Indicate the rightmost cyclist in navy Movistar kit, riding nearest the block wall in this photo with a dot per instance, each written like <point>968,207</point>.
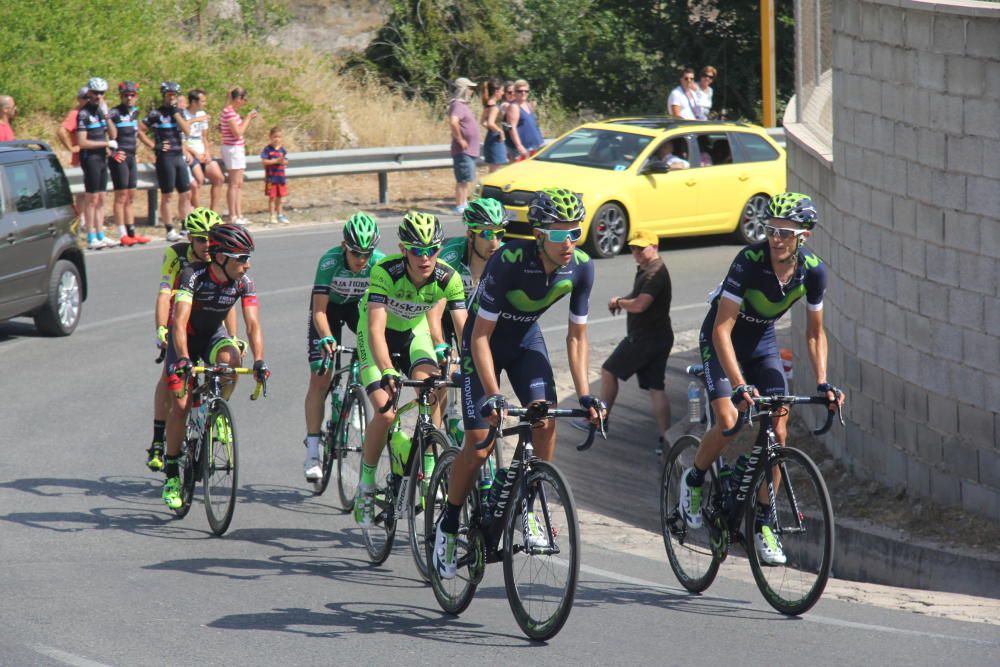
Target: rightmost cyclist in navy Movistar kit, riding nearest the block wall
<point>740,350</point>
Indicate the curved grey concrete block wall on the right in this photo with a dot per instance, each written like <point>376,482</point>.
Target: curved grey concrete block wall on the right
<point>908,189</point>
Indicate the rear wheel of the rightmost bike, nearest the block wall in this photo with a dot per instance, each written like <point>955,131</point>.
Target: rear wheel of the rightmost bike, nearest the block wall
<point>688,550</point>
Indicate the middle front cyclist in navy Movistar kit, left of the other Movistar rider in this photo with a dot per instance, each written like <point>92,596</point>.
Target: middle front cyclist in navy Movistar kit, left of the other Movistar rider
<point>519,284</point>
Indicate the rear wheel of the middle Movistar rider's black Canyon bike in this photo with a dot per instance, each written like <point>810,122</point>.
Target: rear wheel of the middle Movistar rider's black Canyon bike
<point>454,595</point>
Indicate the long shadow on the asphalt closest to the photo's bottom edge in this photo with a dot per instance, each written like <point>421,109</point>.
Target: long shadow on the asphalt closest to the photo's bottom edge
<point>345,619</point>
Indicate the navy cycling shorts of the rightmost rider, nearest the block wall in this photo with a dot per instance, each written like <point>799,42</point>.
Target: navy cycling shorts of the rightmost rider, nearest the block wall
<point>759,360</point>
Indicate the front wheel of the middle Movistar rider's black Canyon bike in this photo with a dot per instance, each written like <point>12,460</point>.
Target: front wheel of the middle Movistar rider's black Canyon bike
<point>541,552</point>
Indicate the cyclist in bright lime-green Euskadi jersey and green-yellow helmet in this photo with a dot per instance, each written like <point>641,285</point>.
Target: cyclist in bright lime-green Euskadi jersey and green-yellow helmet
<point>393,319</point>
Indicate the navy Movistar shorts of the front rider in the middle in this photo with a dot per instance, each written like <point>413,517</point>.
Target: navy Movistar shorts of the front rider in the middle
<point>527,365</point>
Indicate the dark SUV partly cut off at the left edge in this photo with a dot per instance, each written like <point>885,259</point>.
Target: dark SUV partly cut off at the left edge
<point>42,272</point>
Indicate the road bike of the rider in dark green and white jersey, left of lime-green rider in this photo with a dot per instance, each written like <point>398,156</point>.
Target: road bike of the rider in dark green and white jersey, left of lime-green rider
<point>342,437</point>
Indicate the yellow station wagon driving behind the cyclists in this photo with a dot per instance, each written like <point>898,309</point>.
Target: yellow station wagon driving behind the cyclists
<point>670,176</point>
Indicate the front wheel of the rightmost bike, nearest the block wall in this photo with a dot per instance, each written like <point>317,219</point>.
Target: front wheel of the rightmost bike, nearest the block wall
<point>804,529</point>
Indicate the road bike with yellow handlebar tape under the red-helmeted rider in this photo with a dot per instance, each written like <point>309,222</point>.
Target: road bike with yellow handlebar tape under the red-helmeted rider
<point>210,453</point>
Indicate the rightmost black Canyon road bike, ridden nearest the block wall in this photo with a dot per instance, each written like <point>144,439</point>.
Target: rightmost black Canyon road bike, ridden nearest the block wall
<point>801,514</point>
